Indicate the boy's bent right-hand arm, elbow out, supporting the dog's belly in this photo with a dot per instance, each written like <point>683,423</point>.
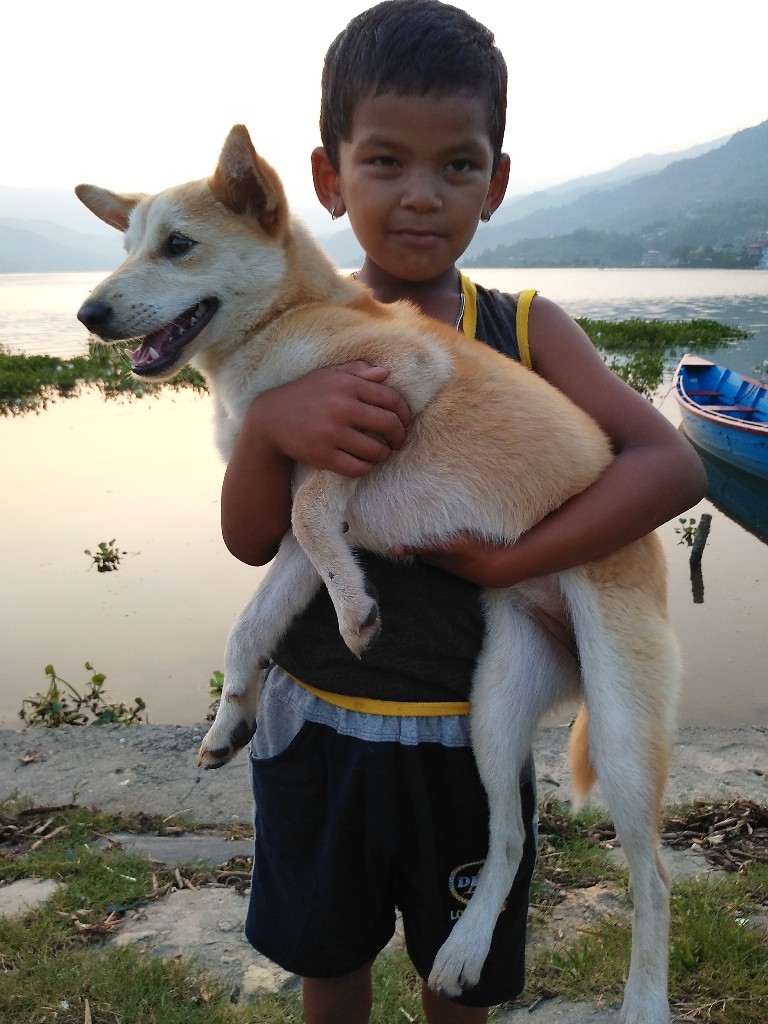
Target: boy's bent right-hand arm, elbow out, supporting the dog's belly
<point>656,475</point>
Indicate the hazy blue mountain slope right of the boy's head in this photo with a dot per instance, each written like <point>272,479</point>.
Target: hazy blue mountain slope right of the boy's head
<point>709,208</point>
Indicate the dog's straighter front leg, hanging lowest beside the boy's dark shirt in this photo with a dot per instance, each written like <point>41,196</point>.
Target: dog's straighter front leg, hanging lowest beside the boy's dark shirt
<point>285,592</point>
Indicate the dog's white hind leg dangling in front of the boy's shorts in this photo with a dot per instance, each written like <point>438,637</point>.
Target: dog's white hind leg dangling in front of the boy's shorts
<point>521,674</point>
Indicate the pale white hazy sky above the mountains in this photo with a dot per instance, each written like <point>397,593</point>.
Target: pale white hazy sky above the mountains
<point>140,96</point>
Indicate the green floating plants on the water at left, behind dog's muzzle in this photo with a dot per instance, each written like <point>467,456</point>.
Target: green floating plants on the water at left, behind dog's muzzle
<point>29,383</point>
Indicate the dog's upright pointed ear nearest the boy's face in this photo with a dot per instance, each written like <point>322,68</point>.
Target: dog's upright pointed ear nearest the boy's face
<point>247,185</point>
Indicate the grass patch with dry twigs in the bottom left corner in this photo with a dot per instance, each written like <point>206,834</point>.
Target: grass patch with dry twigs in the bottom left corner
<point>54,959</point>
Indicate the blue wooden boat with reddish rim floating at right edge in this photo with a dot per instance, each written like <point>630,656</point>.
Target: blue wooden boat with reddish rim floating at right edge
<point>724,413</point>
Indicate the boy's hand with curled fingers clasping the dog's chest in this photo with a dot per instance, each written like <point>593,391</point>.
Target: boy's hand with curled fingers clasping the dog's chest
<point>327,418</point>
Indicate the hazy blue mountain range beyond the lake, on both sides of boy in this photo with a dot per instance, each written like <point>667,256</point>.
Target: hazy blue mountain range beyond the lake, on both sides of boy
<point>705,206</point>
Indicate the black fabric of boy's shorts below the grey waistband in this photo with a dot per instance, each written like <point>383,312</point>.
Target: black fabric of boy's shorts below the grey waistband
<point>349,830</point>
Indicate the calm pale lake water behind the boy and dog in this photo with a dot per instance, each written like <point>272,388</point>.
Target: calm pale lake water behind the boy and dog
<point>147,475</point>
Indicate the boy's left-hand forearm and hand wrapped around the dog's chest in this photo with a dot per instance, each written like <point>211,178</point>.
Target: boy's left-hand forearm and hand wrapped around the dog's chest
<point>324,420</point>
